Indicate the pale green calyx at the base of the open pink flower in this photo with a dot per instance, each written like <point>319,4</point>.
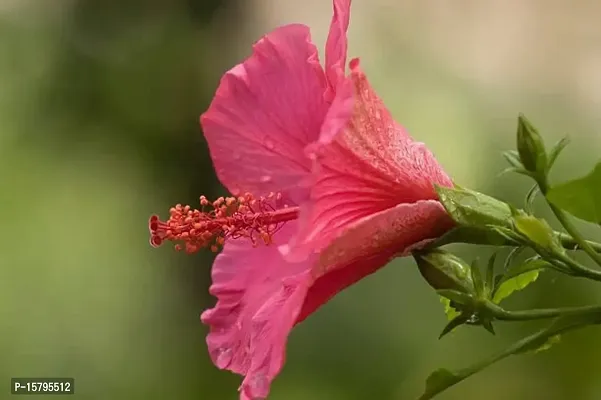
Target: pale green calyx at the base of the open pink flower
<point>470,208</point>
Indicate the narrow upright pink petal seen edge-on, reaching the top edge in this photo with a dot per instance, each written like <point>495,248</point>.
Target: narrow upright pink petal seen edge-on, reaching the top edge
<point>337,42</point>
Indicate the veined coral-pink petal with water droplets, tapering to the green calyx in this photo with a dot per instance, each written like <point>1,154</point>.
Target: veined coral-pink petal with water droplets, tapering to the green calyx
<point>369,166</point>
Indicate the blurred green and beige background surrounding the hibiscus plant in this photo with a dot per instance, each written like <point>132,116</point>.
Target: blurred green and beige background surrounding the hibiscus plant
<point>99,106</point>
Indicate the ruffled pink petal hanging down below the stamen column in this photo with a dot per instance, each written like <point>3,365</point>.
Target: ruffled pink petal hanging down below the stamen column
<point>259,298</point>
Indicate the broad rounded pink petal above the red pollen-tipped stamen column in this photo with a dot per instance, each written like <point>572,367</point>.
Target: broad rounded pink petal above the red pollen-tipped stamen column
<point>265,111</point>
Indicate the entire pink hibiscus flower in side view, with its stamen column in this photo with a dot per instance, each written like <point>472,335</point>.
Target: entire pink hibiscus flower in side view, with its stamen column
<point>327,189</point>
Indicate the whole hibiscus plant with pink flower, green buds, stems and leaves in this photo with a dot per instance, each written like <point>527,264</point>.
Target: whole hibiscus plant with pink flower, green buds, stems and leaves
<point>326,188</point>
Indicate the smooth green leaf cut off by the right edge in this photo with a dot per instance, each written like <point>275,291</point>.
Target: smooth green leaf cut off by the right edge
<point>580,197</point>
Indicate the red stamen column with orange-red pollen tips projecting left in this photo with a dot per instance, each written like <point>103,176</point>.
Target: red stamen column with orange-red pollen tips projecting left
<point>228,218</point>
